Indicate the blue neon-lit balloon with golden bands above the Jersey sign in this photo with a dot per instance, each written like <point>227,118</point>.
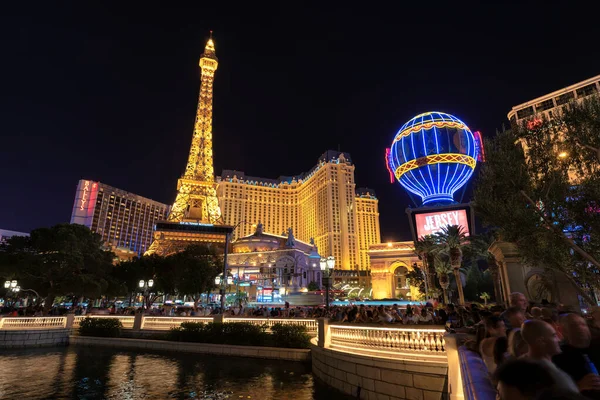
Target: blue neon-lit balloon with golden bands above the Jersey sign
<point>433,155</point>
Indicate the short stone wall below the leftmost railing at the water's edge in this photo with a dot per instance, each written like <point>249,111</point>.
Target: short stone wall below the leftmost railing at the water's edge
<point>33,338</point>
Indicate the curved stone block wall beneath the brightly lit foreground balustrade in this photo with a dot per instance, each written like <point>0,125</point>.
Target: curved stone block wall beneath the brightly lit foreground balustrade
<point>371,378</point>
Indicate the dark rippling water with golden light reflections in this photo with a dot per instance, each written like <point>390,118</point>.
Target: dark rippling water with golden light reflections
<point>100,373</point>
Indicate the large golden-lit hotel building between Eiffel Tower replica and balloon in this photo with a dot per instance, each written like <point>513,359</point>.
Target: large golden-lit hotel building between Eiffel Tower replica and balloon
<point>323,204</point>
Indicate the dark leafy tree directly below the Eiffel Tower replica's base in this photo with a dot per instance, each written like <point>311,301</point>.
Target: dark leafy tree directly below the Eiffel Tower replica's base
<point>196,268</point>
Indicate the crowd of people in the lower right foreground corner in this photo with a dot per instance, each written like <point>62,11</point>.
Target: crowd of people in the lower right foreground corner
<point>540,352</point>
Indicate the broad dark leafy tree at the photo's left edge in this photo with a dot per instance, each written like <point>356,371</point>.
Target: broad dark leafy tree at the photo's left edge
<point>64,260</point>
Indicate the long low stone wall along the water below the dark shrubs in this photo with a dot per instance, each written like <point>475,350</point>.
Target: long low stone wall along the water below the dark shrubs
<point>205,348</point>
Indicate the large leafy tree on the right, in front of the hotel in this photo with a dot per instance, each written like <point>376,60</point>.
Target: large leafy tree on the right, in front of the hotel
<point>545,198</point>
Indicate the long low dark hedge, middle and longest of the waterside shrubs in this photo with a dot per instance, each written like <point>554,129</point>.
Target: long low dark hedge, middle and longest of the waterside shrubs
<point>242,333</point>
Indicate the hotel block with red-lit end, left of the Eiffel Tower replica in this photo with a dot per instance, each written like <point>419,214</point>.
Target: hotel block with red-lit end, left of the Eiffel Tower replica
<point>124,220</point>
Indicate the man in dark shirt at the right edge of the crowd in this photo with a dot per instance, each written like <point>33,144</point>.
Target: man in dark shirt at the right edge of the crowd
<point>578,358</point>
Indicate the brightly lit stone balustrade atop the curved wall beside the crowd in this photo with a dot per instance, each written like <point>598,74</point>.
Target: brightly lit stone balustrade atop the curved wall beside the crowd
<point>419,343</point>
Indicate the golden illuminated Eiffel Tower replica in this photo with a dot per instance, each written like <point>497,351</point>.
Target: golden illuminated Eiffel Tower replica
<point>195,215</point>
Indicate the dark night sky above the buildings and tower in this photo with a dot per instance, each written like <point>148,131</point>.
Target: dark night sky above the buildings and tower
<point>108,90</point>
